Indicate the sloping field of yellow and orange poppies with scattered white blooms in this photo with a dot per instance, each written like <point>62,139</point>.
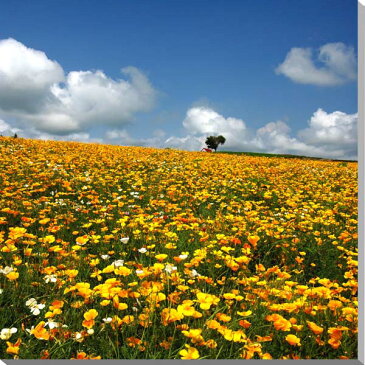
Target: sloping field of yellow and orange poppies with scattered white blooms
<point>129,252</point>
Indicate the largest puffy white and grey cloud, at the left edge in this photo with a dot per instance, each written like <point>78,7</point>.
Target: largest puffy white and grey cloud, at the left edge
<point>35,91</point>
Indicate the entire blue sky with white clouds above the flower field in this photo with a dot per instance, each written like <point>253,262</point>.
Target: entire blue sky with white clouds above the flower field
<point>276,76</point>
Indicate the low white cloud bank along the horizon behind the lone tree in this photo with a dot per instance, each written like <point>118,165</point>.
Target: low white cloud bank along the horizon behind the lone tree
<point>330,135</point>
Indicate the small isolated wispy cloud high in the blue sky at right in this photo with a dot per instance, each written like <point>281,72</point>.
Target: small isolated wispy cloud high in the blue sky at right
<point>336,65</point>
